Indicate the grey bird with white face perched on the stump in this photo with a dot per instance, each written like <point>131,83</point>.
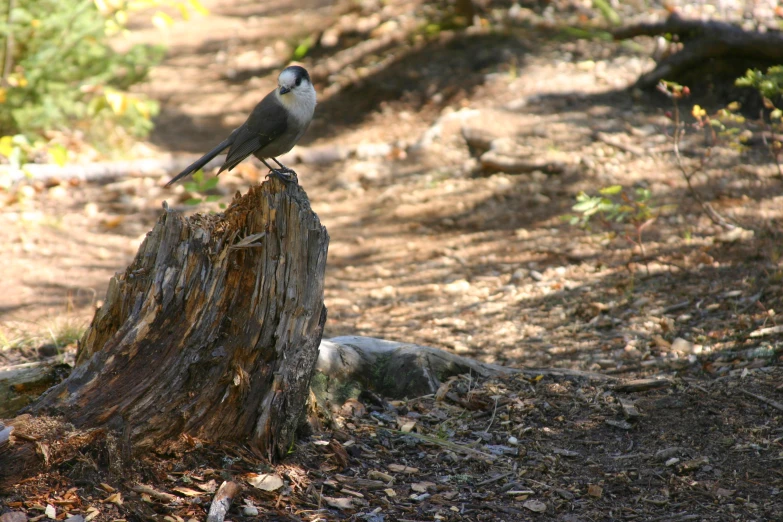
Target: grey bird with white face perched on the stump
<point>273,128</point>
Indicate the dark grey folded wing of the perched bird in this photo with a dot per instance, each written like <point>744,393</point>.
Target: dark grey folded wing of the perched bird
<point>267,122</point>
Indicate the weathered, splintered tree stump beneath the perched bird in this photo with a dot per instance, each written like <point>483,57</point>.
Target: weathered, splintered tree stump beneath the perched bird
<point>212,331</point>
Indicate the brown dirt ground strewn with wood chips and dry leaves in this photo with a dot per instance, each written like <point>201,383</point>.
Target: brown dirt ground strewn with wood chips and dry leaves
<point>428,247</point>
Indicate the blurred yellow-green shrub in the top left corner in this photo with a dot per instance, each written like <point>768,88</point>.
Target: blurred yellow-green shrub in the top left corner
<point>60,74</point>
